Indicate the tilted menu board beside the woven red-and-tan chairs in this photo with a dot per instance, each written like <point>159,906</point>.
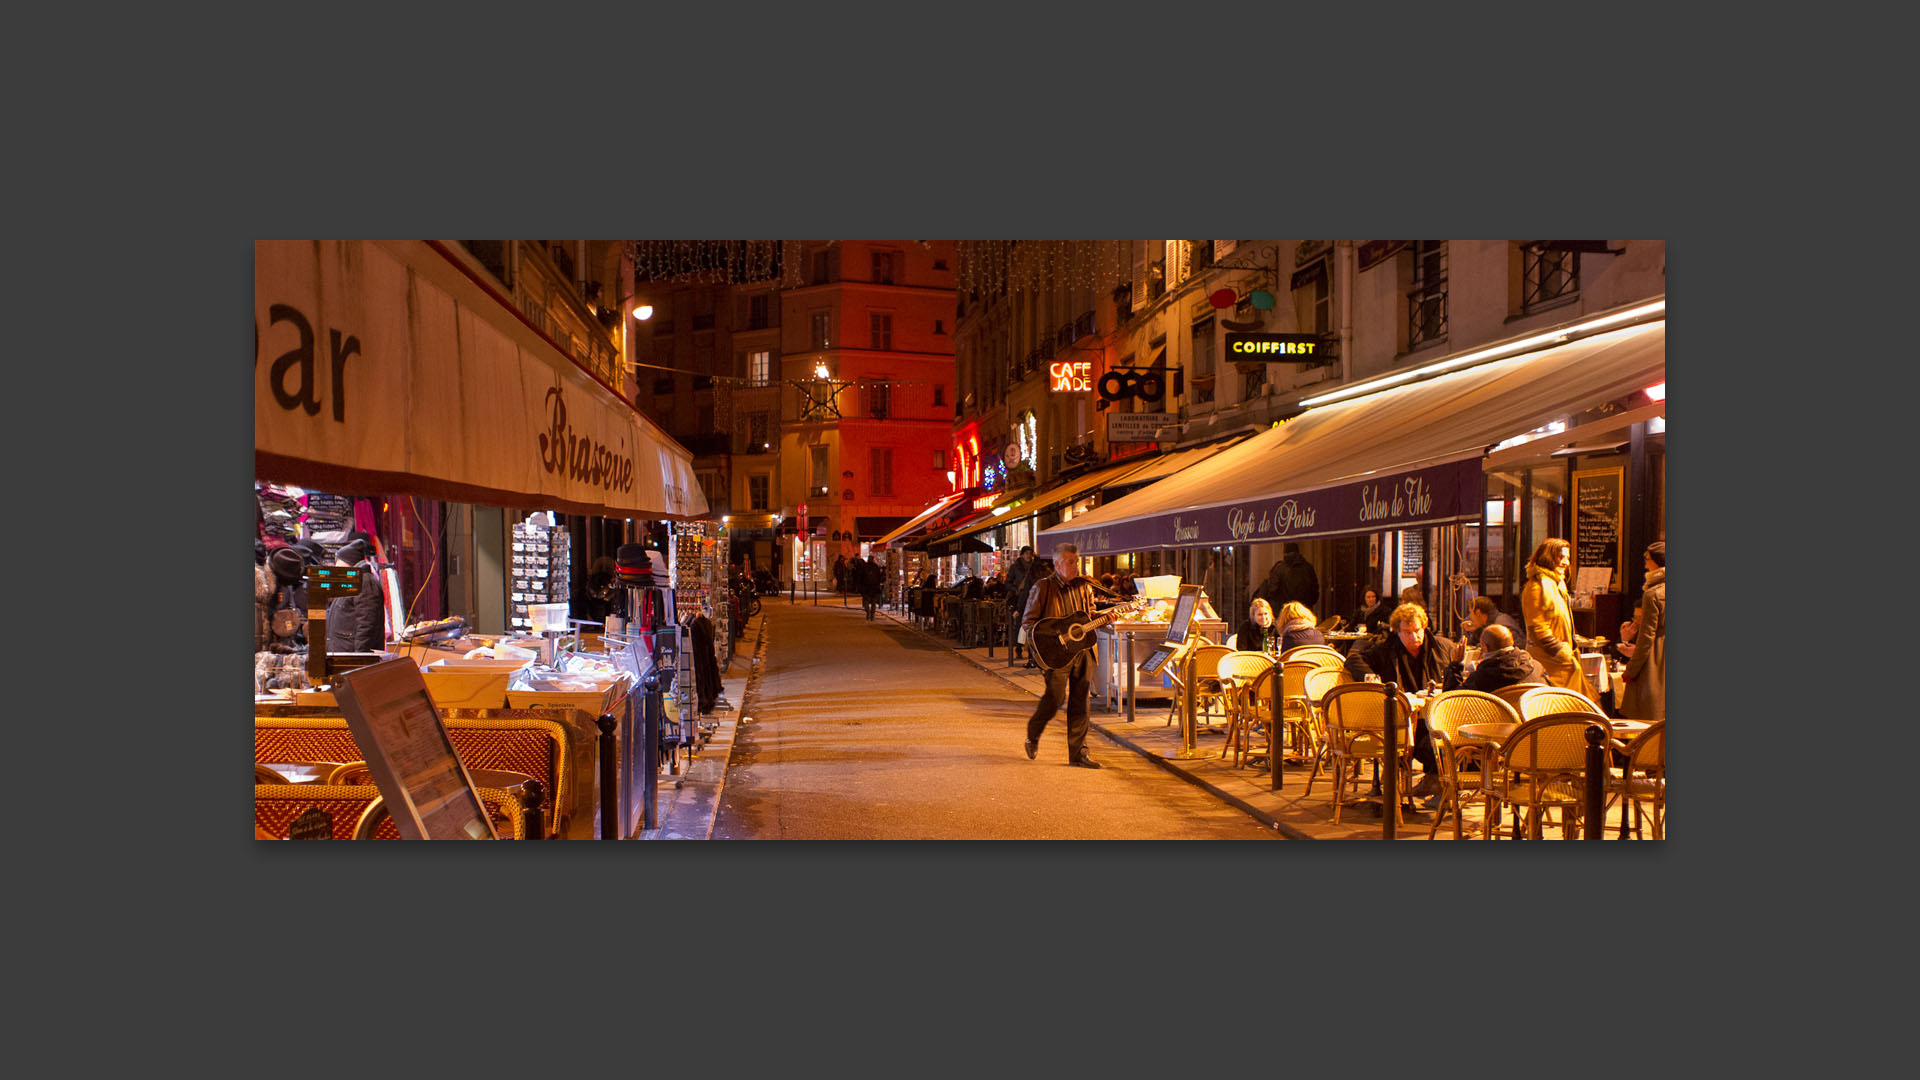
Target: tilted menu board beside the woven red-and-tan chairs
<point>414,764</point>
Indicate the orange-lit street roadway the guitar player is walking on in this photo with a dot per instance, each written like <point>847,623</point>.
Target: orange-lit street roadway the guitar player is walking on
<point>876,731</point>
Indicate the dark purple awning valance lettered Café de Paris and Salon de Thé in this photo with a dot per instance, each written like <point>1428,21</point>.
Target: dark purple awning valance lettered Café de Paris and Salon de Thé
<point>1395,501</point>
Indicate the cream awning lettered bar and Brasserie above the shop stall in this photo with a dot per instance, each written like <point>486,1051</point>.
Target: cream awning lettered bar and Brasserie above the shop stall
<point>393,368</point>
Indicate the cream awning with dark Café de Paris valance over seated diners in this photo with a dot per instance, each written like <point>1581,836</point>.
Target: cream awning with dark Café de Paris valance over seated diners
<point>1399,458</point>
